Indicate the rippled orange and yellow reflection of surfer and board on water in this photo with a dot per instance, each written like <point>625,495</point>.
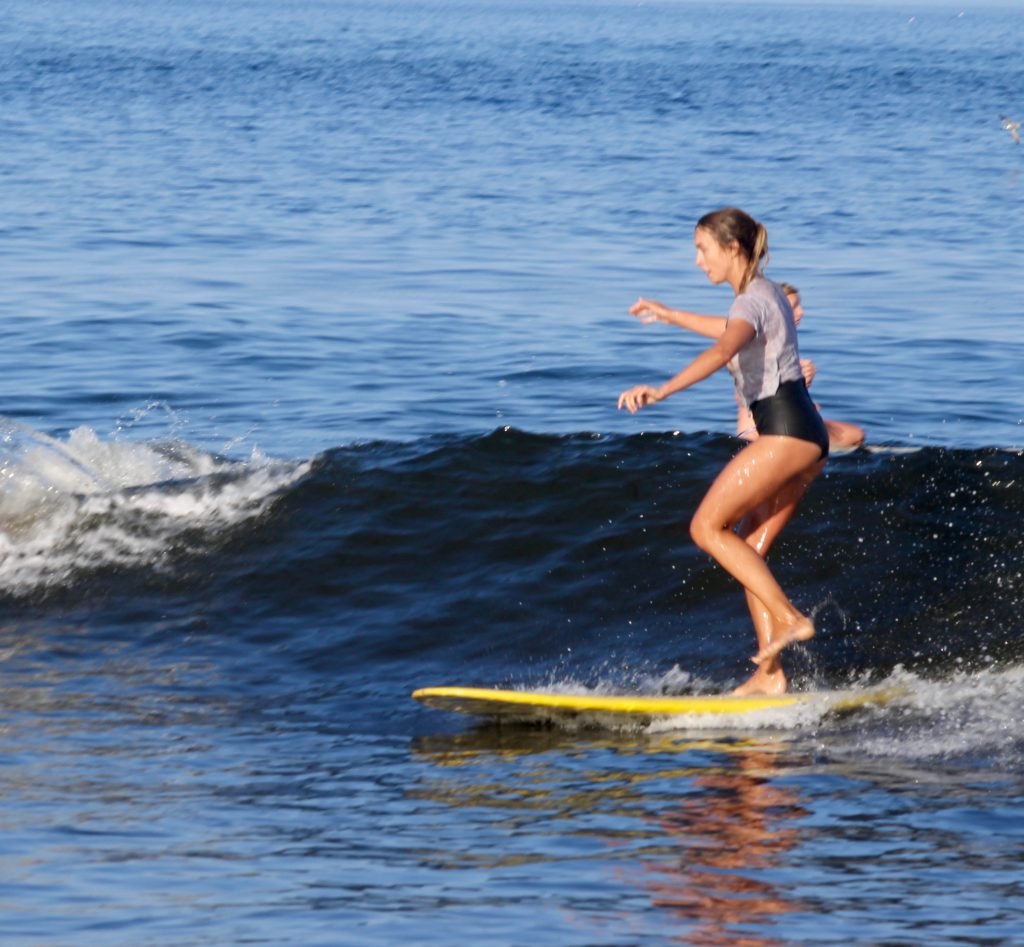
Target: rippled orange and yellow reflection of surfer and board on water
<point>700,826</point>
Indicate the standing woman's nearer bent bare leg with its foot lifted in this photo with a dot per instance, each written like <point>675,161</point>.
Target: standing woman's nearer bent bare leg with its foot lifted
<point>757,476</point>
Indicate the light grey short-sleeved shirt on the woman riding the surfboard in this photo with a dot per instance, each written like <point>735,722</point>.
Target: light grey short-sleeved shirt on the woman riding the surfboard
<point>772,358</point>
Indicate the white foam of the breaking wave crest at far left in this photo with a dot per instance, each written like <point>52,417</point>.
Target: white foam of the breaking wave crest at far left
<point>89,503</point>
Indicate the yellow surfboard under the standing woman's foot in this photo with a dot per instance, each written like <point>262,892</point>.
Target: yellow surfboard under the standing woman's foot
<point>515,705</point>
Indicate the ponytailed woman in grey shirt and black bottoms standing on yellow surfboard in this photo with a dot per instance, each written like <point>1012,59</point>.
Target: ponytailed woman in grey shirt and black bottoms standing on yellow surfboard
<point>759,490</point>
